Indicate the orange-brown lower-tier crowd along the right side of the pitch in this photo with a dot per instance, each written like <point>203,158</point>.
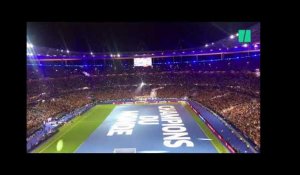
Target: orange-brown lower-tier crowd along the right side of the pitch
<point>242,110</point>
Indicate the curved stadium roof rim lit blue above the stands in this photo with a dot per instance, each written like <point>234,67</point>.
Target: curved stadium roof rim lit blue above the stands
<point>227,45</point>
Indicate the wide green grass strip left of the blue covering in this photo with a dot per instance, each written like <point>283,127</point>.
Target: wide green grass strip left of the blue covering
<point>71,135</point>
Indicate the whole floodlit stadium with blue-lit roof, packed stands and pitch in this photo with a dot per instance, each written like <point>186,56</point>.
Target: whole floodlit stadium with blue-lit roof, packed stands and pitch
<point>200,99</point>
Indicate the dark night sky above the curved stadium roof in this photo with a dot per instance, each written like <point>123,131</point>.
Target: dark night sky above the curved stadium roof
<point>125,36</point>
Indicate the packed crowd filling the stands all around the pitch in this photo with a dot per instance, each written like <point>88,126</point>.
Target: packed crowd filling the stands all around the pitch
<point>232,94</point>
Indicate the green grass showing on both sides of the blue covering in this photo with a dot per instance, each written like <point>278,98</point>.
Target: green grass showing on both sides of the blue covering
<point>72,135</point>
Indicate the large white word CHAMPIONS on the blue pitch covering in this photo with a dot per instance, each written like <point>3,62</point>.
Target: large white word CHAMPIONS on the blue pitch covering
<point>174,131</point>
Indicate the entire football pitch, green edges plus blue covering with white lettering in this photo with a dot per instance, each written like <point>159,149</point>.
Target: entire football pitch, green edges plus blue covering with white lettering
<point>132,128</point>
